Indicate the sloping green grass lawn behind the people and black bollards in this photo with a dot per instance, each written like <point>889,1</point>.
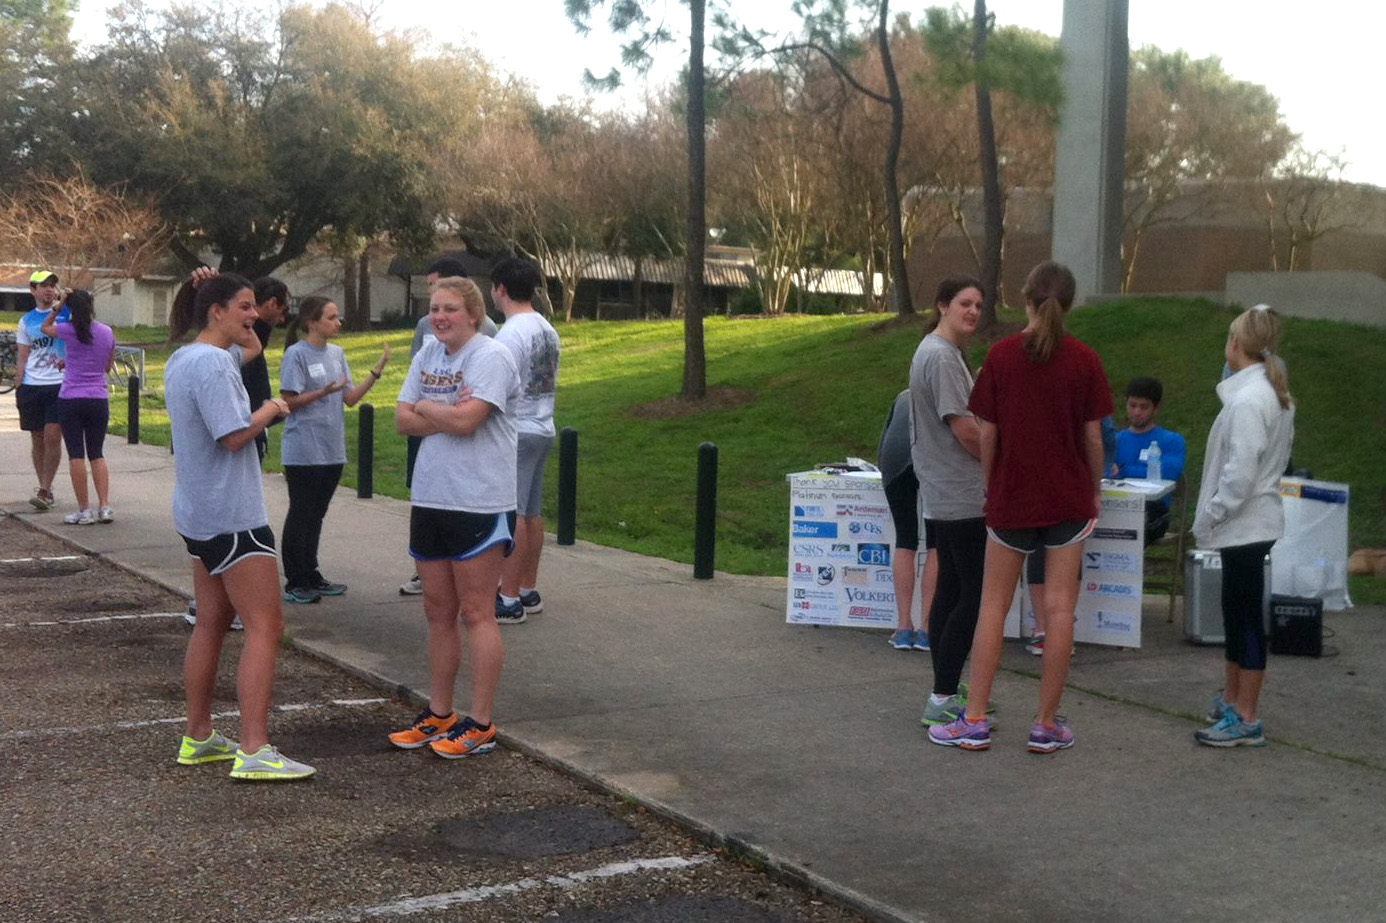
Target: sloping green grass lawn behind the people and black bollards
<point>796,392</point>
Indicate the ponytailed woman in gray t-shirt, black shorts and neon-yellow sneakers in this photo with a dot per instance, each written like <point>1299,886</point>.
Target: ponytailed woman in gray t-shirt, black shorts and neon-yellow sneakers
<point>220,511</point>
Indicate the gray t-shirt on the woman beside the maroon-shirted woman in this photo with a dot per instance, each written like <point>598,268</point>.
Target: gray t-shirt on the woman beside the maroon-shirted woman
<point>939,387</point>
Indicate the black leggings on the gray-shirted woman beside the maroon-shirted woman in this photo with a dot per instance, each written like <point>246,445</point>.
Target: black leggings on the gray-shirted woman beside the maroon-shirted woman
<point>963,552</point>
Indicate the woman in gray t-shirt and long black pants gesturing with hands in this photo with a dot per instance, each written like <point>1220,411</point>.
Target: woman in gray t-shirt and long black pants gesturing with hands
<point>317,385</point>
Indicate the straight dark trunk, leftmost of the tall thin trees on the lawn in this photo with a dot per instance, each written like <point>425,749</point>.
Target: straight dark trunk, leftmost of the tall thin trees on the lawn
<point>695,296</point>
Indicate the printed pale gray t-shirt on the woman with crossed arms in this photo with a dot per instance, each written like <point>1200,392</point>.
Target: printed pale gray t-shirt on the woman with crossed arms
<point>475,473</point>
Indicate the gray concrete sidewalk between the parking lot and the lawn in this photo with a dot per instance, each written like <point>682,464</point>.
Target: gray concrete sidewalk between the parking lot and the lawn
<point>803,745</point>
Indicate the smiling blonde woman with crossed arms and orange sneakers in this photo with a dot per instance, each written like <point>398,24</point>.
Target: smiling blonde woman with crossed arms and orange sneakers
<point>459,397</point>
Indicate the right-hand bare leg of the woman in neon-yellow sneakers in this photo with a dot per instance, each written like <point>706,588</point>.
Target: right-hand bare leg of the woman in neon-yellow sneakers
<point>253,588</point>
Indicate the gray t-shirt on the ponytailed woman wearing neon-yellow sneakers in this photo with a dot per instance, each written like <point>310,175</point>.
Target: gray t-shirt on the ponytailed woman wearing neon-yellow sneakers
<point>216,491</point>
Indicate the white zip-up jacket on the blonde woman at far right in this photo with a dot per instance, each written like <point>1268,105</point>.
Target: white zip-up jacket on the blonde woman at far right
<point>1249,447</point>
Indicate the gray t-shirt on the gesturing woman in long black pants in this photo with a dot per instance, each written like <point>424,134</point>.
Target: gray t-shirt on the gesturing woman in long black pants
<point>315,434</point>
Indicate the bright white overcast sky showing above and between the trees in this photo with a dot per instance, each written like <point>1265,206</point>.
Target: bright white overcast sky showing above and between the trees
<point>1322,69</point>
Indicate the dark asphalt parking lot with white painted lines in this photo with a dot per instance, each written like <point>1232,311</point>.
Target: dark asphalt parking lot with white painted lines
<point>102,824</point>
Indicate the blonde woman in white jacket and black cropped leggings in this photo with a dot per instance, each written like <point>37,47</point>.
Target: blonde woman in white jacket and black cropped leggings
<point>1240,513</point>
